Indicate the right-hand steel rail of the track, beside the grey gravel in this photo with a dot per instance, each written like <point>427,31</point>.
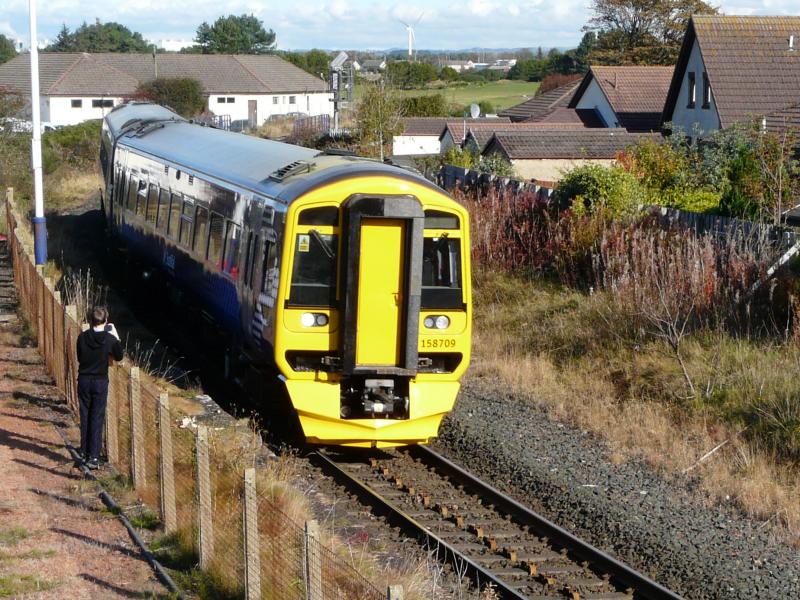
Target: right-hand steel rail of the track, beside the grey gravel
<point>641,584</point>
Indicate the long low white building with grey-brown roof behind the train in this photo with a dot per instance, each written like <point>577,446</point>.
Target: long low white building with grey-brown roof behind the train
<point>76,87</point>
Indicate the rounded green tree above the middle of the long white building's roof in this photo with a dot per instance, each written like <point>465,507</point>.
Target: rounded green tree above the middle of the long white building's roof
<point>244,34</point>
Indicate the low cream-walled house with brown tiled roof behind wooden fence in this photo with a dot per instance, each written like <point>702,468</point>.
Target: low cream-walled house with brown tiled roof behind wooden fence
<point>545,155</point>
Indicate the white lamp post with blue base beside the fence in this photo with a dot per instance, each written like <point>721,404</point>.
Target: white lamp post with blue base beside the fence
<point>39,228</point>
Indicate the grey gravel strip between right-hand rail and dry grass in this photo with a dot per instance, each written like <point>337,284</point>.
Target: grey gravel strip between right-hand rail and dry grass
<point>662,528</point>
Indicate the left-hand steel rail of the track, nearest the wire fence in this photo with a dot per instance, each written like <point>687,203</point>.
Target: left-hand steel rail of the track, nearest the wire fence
<point>444,552</point>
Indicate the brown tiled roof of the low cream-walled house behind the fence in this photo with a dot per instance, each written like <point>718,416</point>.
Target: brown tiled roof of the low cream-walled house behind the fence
<point>565,143</point>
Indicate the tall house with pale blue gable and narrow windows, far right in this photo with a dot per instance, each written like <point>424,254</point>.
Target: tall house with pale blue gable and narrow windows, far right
<point>732,69</point>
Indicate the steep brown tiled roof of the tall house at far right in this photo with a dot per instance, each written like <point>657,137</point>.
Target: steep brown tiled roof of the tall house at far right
<point>751,69</point>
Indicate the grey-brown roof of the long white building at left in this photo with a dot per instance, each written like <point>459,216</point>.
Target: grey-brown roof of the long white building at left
<point>117,74</point>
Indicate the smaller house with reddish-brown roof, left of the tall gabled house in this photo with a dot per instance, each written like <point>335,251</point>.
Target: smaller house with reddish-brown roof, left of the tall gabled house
<point>628,97</point>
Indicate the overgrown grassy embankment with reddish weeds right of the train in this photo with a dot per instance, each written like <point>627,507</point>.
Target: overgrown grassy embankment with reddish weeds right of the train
<point>649,336</point>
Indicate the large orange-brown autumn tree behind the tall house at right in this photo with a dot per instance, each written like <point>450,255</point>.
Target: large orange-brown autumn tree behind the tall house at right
<point>641,31</point>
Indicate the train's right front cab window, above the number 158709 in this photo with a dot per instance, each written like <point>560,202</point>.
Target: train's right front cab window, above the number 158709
<point>441,273</point>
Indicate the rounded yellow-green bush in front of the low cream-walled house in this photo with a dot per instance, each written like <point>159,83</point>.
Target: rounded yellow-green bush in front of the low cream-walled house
<point>594,188</point>
